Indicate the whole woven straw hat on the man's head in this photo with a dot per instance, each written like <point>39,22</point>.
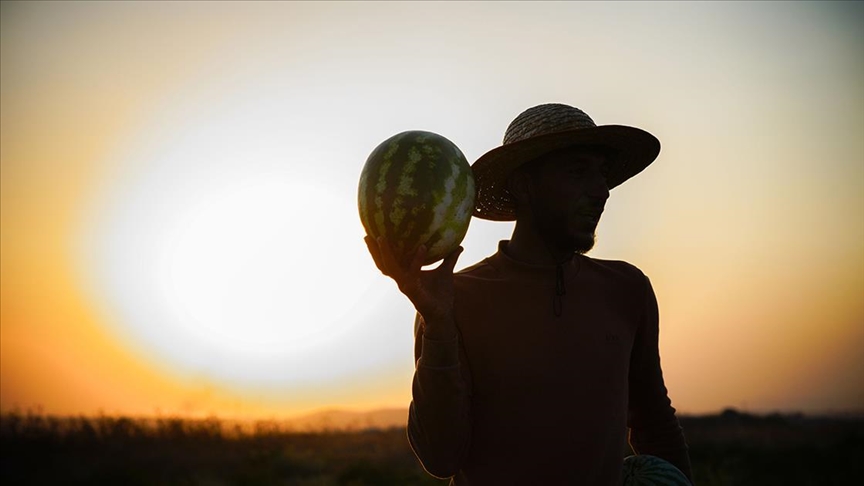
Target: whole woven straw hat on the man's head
<point>546,128</point>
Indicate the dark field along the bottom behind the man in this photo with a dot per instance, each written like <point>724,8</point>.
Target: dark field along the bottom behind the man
<point>727,449</point>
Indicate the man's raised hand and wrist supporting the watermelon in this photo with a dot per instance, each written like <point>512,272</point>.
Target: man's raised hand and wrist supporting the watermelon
<point>431,291</point>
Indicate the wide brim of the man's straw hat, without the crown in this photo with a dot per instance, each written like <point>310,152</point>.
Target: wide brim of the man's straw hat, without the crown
<point>635,149</point>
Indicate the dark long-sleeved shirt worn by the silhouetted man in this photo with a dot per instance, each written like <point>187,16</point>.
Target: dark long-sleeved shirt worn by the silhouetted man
<point>534,391</point>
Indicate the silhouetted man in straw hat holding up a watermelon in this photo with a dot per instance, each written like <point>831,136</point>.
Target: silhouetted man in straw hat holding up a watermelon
<point>532,364</point>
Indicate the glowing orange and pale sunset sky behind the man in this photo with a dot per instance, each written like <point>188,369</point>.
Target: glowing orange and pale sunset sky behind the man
<point>178,191</point>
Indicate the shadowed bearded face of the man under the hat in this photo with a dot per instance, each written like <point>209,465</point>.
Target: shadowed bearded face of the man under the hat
<point>568,192</point>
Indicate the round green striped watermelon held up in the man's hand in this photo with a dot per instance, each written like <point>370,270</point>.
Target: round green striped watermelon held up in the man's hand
<point>417,189</point>
